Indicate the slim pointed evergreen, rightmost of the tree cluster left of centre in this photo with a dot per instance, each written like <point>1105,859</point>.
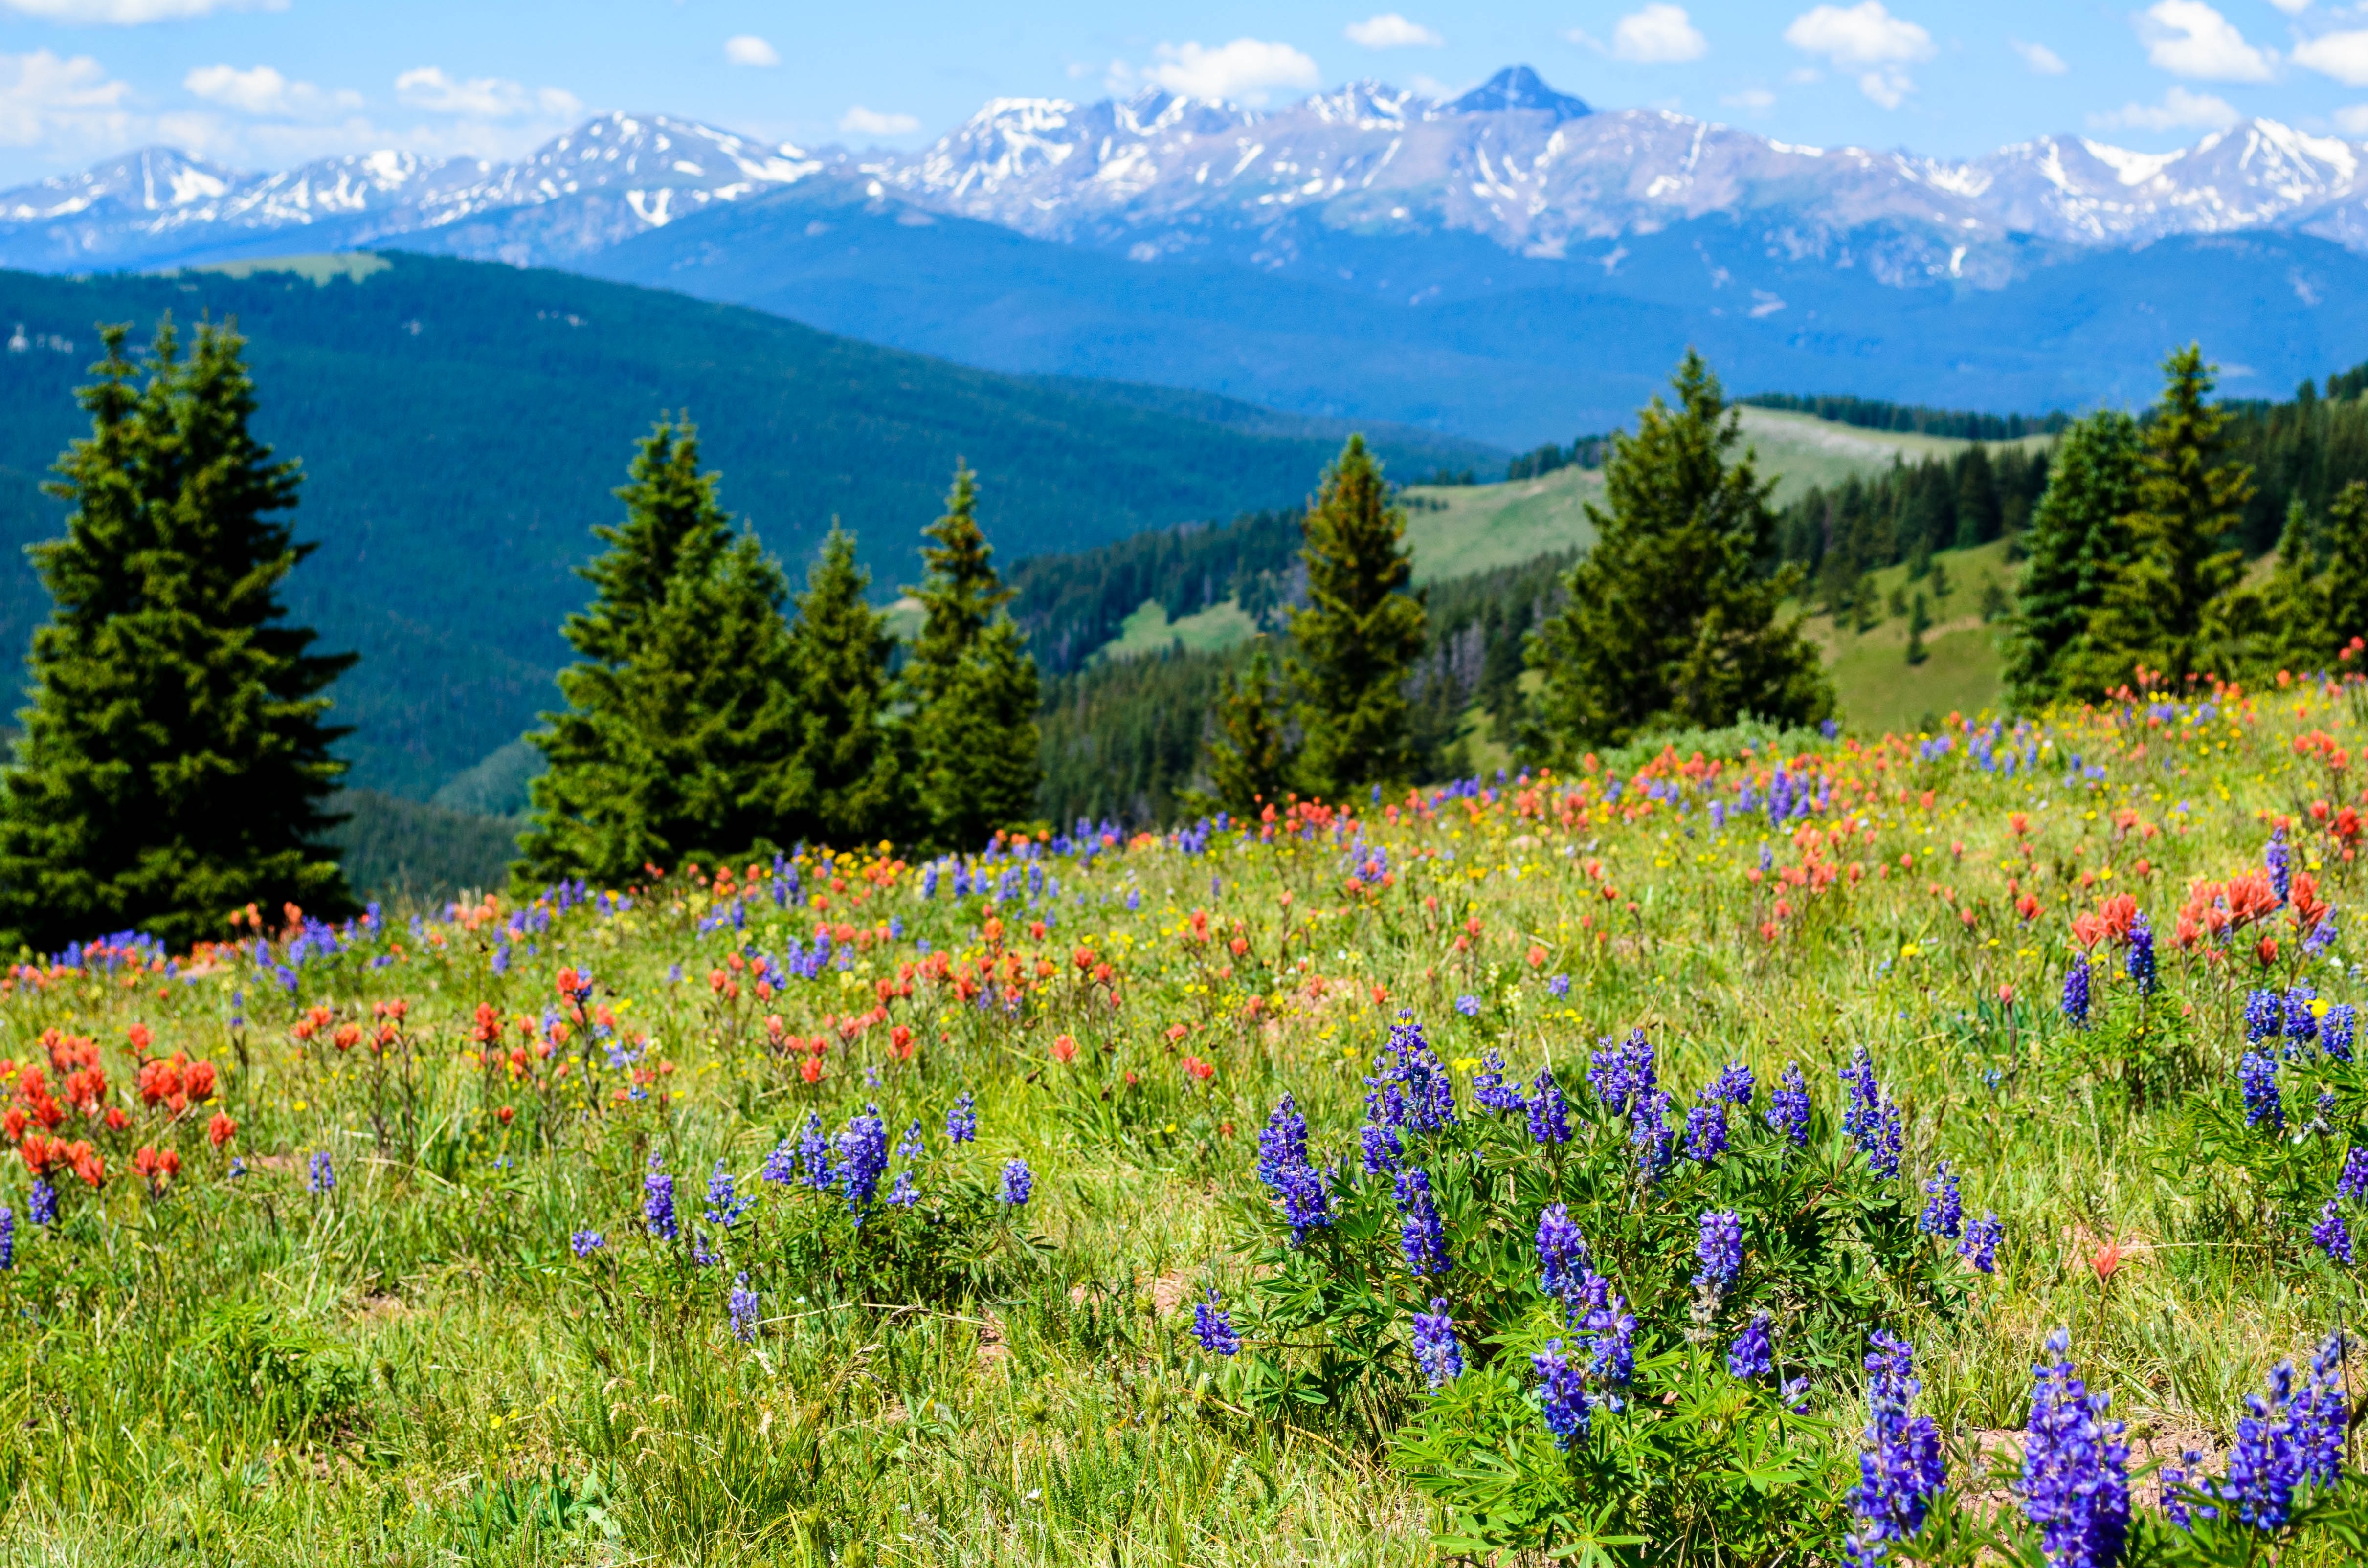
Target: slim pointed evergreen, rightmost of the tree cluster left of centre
<point>972,686</point>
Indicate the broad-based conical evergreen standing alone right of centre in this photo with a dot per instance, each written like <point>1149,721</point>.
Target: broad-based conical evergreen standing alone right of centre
<point>1671,617</point>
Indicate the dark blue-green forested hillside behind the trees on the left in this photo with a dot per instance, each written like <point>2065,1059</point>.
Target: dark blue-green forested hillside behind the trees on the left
<point>463,425</point>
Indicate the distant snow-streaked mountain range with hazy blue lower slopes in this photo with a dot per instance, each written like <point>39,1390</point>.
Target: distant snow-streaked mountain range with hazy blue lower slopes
<point>1505,264</point>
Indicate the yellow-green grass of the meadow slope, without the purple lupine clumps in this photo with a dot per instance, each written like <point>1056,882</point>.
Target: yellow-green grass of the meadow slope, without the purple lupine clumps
<point>390,1370</point>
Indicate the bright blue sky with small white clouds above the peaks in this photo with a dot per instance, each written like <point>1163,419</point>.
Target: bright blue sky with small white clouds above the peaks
<point>264,84</point>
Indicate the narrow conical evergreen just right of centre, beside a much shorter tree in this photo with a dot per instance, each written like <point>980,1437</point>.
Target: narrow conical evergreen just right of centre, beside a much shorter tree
<point>1358,636</point>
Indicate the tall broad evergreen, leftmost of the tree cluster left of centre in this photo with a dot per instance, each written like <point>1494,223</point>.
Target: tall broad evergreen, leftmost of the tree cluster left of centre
<point>681,714</point>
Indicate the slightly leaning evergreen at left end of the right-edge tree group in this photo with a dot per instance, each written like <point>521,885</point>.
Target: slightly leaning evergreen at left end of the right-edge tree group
<point>2076,544</point>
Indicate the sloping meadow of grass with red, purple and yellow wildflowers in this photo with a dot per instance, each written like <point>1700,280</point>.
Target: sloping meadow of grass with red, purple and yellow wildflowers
<point>1746,1148</point>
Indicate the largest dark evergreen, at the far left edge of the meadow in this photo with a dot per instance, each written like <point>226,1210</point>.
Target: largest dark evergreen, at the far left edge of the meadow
<point>174,761</point>
